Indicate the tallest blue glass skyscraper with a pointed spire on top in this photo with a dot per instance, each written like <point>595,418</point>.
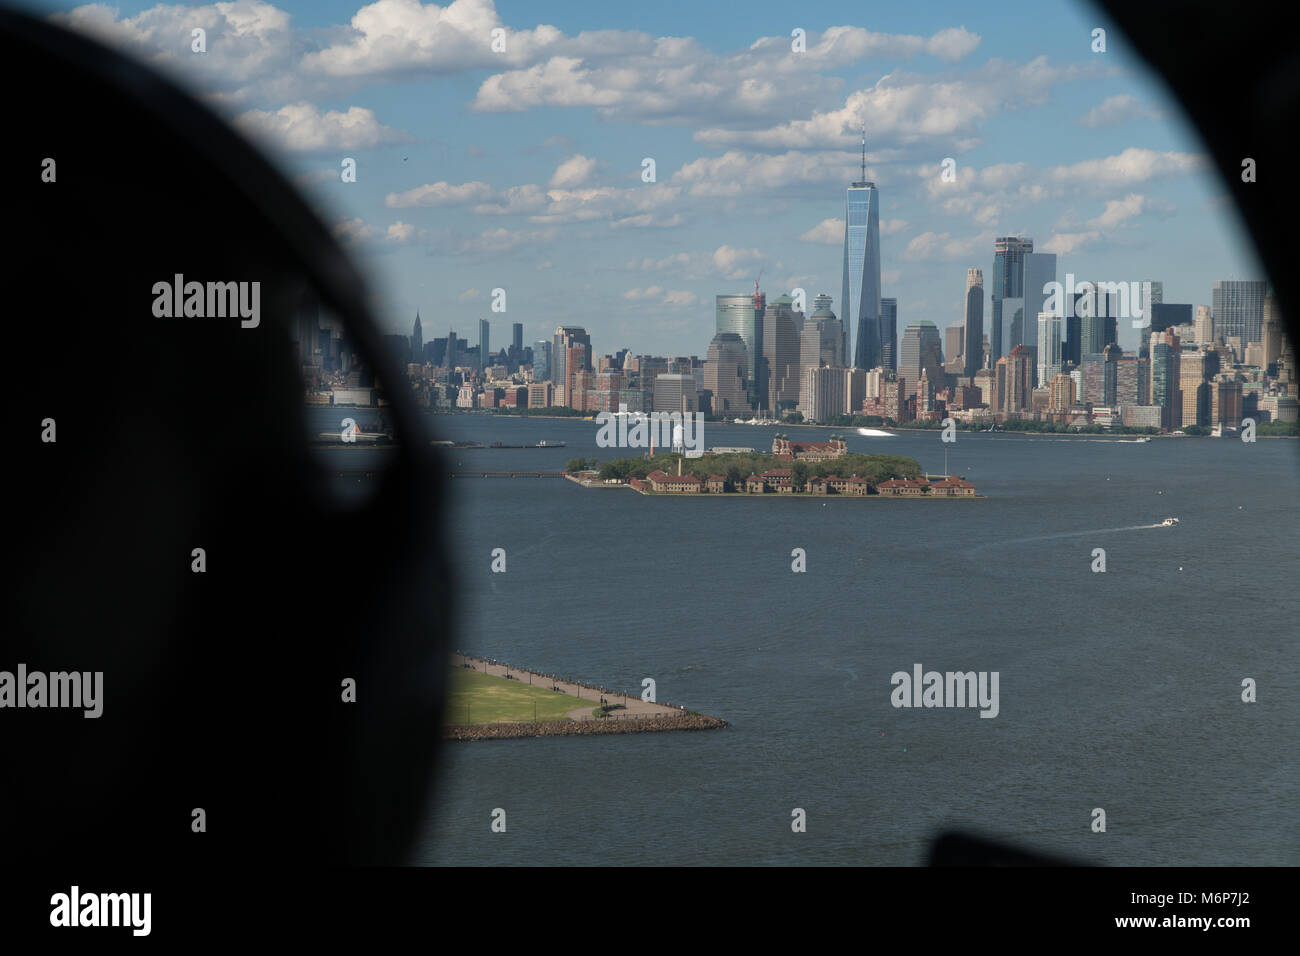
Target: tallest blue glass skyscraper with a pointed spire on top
<point>860,297</point>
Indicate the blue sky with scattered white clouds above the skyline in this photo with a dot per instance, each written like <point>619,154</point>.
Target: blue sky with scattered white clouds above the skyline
<point>523,168</point>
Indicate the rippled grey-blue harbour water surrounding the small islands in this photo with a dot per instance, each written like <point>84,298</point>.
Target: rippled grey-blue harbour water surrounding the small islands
<point>1117,690</point>
